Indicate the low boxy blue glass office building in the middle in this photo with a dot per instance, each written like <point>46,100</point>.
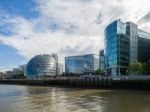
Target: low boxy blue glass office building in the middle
<point>81,64</point>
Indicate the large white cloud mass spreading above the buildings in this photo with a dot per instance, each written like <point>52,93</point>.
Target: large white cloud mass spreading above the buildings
<point>70,27</point>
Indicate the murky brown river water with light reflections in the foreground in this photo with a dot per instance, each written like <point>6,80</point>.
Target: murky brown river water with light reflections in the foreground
<point>51,99</point>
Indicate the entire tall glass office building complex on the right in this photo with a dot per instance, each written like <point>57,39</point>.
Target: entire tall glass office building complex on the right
<point>125,43</point>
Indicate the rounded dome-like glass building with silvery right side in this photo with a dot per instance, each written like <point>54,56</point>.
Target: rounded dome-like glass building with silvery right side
<point>42,65</point>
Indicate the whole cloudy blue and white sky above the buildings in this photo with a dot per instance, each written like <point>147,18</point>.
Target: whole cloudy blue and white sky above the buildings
<point>65,27</point>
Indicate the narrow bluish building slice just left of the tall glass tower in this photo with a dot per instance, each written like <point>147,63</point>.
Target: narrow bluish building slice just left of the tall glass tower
<point>102,60</point>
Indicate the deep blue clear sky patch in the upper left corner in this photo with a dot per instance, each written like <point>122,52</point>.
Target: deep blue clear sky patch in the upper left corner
<point>25,8</point>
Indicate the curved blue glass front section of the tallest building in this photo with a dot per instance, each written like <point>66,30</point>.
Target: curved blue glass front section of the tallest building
<point>117,48</point>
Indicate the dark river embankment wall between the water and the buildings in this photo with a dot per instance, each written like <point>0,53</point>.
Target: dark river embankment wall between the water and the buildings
<point>85,84</point>
